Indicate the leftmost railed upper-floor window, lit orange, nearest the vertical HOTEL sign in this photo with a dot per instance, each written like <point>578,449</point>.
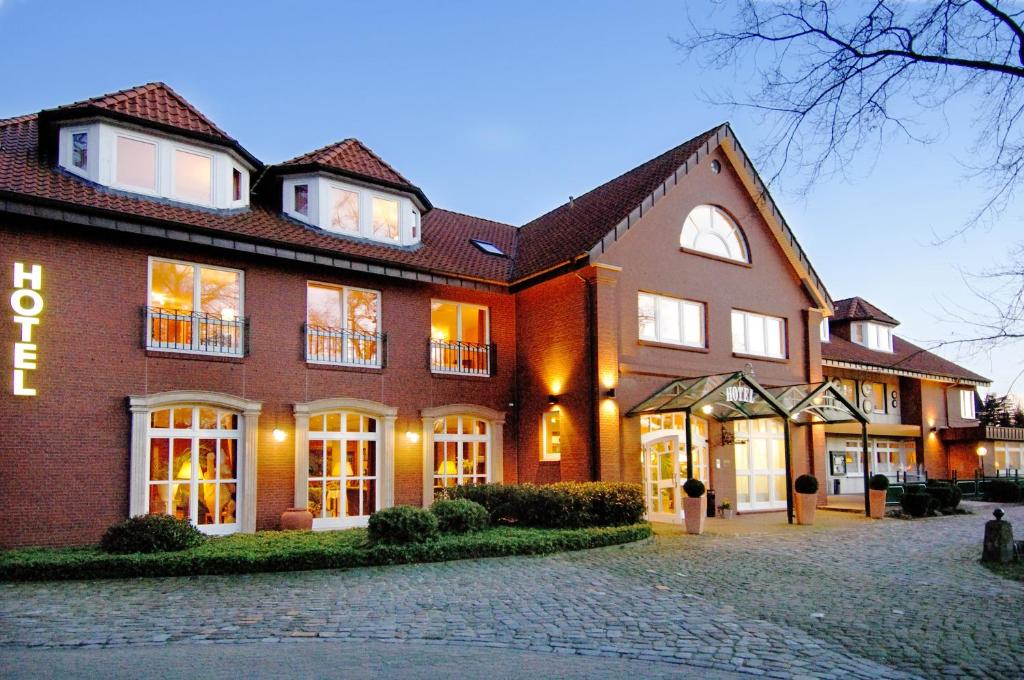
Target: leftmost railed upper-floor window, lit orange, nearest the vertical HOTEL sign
<point>195,309</point>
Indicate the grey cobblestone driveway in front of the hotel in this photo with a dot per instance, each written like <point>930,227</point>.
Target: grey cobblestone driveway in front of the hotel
<point>865,601</point>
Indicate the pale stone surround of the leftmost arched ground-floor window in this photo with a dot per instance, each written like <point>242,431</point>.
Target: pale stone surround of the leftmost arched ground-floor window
<point>142,407</point>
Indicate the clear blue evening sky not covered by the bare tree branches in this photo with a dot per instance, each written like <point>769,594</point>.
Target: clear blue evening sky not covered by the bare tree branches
<point>504,110</point>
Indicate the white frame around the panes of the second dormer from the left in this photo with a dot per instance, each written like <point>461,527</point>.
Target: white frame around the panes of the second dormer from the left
<point>319,214</point>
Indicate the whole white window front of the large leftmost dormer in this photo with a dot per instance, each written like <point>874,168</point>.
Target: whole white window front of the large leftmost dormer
<point>139,162</point>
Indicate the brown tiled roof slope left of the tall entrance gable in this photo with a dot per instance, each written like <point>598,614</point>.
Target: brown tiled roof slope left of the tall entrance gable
<point>576,227</point>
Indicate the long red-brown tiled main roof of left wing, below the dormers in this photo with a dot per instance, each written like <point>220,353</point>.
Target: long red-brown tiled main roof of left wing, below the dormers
<point>445,248</point>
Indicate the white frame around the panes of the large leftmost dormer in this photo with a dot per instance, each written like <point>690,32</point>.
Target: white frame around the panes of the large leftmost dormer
<point>102,165</point>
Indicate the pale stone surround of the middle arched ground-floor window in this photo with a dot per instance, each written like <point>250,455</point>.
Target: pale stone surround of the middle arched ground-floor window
<point>386,416</point>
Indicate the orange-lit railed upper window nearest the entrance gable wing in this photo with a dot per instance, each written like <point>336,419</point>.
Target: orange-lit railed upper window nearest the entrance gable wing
<point>459,338</point>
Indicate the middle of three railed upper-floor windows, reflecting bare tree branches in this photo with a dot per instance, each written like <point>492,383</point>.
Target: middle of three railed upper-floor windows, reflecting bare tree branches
<point>343,326</point>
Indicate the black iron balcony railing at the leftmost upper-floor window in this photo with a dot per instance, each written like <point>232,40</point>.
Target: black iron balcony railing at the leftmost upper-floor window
<point>181,330</point>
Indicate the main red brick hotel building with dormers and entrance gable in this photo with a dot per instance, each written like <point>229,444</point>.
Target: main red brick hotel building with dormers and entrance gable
<point>198,333</point>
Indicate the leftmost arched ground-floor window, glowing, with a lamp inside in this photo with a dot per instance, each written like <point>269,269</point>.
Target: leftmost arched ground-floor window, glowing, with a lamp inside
<point>194,466</point>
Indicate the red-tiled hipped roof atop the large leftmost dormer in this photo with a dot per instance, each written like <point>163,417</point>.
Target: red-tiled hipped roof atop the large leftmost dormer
<point>154,105</point>
